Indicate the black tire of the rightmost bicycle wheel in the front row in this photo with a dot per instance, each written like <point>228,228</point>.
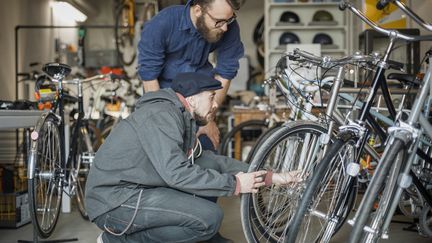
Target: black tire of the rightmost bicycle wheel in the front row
<point>374,188</point>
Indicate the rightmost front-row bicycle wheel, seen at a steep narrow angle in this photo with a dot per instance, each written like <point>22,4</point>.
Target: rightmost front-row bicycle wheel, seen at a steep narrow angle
<point>376,186</point>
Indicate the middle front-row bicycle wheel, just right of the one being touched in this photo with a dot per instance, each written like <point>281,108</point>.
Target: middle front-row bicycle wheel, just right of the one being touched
<point>324,206</point>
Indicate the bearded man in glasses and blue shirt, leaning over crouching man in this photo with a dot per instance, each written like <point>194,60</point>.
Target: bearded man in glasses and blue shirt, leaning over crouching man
<point>180,39</point>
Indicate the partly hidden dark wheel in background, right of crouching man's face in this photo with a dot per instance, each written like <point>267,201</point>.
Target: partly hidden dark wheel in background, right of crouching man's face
<point>228,140</point>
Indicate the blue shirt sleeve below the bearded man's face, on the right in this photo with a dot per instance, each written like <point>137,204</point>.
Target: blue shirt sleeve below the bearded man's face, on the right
<point>229,52</point>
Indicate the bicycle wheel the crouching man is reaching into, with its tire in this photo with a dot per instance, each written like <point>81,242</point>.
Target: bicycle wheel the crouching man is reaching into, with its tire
<point>266,215</point>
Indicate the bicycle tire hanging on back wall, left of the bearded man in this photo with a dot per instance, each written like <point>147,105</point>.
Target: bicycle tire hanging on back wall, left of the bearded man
<point>121,38</point>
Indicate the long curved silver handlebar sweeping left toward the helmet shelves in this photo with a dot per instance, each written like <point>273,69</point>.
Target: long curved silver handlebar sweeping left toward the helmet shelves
<point>391,33</point>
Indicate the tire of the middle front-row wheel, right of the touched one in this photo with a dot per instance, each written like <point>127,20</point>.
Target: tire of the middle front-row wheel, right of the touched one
<point>321,179</point>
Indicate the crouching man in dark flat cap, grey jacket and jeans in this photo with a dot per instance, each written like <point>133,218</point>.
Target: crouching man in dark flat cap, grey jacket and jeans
<point>142,185</point>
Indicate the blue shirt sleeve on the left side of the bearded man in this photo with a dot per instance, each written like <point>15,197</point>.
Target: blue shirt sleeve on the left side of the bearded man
<point>151,48</point>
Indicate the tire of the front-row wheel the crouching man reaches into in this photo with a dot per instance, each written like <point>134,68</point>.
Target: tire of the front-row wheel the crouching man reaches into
<point>297,134</point>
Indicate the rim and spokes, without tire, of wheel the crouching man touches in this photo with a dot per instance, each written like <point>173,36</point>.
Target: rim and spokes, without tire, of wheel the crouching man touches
<point>273,207</point>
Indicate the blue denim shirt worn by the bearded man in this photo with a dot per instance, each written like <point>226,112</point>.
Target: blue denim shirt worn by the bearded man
<point>171,44</point>
